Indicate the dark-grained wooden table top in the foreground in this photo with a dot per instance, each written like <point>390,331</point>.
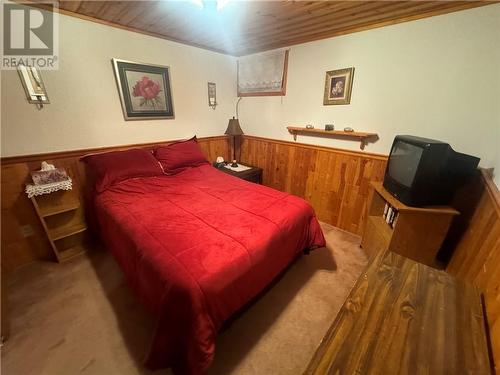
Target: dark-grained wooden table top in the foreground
<point>403,317</point>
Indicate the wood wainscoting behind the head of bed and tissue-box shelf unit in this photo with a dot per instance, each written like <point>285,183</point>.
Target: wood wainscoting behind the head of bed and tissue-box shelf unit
<point>23,238</point>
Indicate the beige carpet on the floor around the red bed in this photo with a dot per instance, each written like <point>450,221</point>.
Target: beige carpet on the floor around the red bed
<point>80,317</point>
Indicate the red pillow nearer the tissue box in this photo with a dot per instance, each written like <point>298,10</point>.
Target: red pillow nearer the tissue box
<point>112,167</point>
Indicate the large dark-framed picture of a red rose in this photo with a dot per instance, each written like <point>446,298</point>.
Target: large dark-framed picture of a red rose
<point>144,89</point>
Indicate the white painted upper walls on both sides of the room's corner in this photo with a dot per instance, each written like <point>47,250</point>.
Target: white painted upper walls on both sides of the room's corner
<point>438,77</point>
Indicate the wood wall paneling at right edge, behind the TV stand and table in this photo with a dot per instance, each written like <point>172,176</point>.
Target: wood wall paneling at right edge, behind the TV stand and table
<point>477,257</point>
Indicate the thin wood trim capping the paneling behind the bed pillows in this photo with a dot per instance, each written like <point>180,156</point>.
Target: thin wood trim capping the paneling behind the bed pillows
<point>73,153</point>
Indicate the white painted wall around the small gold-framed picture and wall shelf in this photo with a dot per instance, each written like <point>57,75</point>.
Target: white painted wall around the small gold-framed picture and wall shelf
<point>438,78</point>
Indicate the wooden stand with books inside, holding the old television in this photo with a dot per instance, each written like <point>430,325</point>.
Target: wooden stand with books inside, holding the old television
<point>416,233</point>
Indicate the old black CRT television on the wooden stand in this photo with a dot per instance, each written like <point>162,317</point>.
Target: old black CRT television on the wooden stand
<point>425,172</point>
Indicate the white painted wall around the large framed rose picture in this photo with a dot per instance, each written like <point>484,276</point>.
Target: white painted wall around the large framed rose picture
<point>85,109</point>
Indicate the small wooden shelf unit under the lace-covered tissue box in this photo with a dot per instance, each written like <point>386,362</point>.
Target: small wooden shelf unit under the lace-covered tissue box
<point>62,218</point>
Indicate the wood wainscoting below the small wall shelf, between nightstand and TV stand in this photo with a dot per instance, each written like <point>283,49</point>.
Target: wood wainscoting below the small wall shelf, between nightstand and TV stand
<point>336,182</point>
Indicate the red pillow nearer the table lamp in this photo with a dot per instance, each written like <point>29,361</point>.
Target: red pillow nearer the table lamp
<point>179,156</point>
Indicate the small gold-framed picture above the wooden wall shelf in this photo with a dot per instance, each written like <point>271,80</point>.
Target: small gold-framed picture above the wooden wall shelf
<point>338,86</point>
